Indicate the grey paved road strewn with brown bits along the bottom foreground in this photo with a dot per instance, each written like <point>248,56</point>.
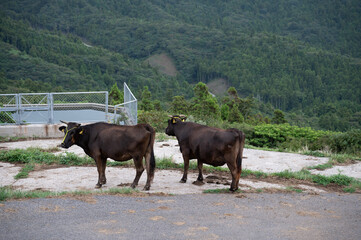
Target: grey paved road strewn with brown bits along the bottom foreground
<point>197,216</point>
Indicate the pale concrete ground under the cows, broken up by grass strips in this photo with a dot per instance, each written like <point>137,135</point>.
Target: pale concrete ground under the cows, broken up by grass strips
<point>166,181</point>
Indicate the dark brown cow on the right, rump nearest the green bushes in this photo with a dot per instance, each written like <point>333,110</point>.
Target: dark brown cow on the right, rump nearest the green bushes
<point>208,145</point>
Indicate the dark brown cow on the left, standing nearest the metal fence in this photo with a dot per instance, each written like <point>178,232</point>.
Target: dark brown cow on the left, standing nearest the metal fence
<point>120,143</point>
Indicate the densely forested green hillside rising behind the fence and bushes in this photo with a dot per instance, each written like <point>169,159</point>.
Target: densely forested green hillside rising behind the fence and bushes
<point>302,57</point>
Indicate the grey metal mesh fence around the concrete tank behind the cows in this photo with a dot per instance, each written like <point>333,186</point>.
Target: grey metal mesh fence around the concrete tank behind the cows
<point>50,108</point>
